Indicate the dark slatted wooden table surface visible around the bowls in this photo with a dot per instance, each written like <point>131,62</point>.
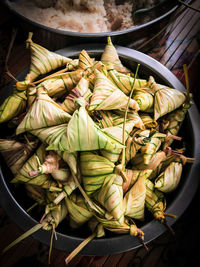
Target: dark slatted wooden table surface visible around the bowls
<point>178,46</point>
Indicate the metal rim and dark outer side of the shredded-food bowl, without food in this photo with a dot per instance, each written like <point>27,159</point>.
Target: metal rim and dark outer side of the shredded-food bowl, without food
<point>134,36</point>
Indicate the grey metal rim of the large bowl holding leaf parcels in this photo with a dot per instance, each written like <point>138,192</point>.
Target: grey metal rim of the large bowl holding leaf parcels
<point>152,229</point>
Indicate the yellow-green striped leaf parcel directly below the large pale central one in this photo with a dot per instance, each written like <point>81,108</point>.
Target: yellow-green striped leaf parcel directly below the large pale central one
<point>94,170</point>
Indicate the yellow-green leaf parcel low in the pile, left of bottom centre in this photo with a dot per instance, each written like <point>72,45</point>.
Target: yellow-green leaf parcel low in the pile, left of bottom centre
<point>78,210</point>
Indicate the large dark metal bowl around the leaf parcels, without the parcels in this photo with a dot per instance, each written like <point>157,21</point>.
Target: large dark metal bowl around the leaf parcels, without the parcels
<point>14,202</point>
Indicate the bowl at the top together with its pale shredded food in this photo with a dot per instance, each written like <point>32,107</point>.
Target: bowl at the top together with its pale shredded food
<point>94,19</point>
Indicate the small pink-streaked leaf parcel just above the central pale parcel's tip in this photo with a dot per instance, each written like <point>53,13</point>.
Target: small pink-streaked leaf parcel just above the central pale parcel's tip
<point>81,90</point>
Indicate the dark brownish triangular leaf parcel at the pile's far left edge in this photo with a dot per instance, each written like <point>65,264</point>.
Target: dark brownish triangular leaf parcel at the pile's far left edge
<point>16,153</point>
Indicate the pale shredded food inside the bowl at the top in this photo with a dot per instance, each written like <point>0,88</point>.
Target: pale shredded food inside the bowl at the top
<point>81,15</point>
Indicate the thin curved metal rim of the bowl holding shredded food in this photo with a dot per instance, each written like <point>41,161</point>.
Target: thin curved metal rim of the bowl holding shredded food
<point>94,35</point>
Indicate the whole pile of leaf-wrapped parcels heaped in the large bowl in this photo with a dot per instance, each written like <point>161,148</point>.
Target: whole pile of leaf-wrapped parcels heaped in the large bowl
<point>92,141</point>
